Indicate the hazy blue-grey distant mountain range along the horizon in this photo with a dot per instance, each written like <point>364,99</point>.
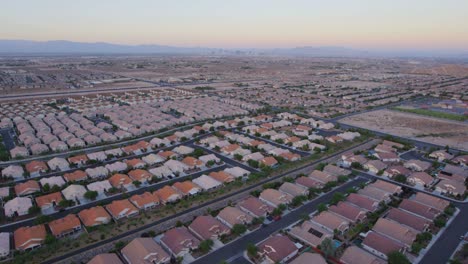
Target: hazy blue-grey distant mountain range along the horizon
<point>27,47</point>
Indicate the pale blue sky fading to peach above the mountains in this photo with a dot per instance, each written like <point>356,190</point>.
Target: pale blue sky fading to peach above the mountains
<point>369,24</point>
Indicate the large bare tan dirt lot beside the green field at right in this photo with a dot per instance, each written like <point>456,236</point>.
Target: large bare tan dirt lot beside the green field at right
<point>432,130</point>
